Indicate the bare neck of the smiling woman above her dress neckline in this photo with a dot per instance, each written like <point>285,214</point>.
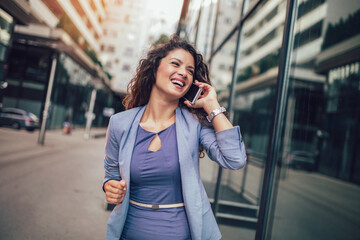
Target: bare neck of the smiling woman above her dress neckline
<point>159,110</point>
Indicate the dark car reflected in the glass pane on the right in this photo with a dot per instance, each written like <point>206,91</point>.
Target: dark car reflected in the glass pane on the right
<point>301,160</point>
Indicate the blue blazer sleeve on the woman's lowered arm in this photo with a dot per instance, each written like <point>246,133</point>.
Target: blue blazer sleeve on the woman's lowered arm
<point>111,160</point>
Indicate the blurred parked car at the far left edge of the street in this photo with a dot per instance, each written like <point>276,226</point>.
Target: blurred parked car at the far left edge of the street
<point>18,118</point>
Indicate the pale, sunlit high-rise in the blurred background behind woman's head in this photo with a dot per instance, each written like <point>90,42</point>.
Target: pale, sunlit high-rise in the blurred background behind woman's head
<point>130,27</point>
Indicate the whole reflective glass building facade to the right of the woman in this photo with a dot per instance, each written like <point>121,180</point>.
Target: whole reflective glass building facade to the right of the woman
<point>288,72</point>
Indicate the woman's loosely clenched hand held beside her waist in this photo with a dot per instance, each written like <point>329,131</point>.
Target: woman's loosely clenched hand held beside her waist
<point>115,191</point>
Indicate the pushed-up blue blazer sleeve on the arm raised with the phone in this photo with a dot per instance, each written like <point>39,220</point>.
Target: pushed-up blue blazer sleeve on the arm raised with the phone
<point>224,147</point>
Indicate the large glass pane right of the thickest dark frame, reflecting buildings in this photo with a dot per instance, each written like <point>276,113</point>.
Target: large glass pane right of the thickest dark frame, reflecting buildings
<point>318,185</point>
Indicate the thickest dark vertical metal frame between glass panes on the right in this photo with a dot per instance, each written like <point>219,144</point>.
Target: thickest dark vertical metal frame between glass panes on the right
<point>271,175</point>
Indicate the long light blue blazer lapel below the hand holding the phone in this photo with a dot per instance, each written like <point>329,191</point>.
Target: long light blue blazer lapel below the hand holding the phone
<point>189,176</point>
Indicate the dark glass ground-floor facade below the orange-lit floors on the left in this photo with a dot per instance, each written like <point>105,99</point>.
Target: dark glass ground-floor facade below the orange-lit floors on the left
<point>28,75</point>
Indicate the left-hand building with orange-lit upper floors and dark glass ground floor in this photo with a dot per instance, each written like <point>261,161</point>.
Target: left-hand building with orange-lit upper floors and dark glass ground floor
<point>59,39</point>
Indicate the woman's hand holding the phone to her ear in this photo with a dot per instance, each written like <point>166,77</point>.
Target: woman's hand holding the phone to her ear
<point>207,100</point>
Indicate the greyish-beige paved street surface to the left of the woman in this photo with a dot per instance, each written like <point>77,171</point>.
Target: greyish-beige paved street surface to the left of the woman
<point>51,191</point>
